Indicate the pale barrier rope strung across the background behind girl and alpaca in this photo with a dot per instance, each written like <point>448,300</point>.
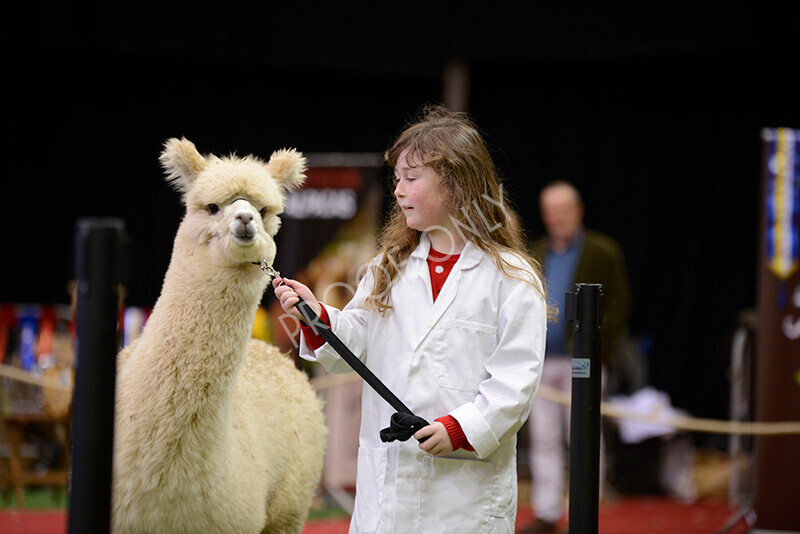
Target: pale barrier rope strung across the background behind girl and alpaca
<point>607,409</point>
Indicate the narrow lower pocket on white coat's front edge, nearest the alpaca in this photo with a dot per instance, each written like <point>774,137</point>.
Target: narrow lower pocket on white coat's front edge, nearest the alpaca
<point>369,489</point>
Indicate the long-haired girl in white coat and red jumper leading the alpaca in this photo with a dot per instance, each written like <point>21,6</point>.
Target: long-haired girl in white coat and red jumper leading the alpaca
<point>451,316</point>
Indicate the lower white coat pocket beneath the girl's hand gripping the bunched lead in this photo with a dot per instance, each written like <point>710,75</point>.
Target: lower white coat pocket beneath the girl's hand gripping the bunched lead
<point>459,495</point>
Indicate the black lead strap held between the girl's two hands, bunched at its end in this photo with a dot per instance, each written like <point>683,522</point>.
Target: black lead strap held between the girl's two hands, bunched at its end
<point>403,423</point>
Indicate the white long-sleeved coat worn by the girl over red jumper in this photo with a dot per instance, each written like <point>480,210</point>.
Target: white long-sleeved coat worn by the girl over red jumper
<point>476,354</point>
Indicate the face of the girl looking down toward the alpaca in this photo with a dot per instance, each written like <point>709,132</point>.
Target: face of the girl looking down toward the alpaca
<point>418,191</point>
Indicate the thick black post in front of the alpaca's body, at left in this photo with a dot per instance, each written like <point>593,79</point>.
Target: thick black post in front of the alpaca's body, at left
<point>99,267</point>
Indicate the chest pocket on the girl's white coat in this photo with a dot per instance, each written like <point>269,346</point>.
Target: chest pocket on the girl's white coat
<point>460,353</point>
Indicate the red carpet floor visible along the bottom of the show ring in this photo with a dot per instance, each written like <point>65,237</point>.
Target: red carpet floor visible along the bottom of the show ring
<point>653,515</point>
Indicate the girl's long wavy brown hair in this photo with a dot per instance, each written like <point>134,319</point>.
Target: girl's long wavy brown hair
<point>450,143</point>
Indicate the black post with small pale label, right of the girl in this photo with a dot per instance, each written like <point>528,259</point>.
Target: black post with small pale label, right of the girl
<point>584,307</point>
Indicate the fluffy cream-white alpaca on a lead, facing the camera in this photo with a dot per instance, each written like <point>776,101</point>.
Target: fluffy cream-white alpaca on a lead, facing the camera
<point>215,431</point>
